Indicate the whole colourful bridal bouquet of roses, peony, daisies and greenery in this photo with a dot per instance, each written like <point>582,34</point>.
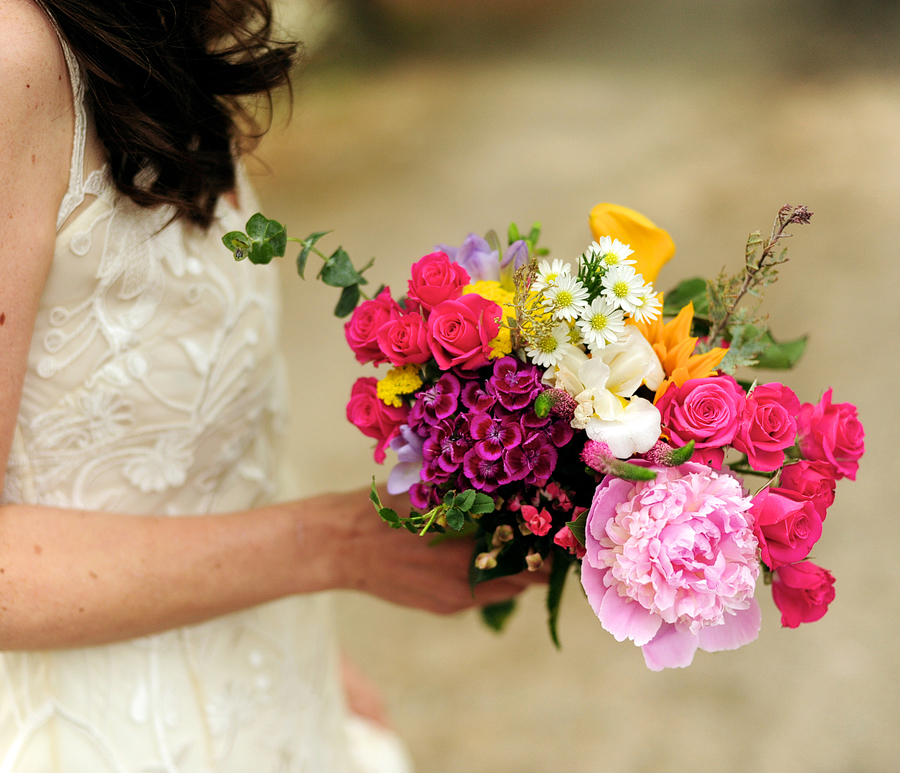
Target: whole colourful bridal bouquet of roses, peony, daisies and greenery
<point>567,413</point>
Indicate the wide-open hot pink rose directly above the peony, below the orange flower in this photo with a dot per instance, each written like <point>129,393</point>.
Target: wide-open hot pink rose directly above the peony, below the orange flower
<point>705,410</point>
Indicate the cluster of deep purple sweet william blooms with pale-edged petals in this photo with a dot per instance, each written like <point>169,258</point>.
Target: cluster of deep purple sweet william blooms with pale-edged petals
<point>483,433</point>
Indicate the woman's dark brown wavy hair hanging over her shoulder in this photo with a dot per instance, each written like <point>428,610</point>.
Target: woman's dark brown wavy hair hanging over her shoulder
<point>165,81</point>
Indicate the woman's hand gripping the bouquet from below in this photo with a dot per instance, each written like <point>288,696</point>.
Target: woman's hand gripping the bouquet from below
<point>400,567</point>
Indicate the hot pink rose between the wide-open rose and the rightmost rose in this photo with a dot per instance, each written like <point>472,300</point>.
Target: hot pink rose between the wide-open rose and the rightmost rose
<point>768,426</point>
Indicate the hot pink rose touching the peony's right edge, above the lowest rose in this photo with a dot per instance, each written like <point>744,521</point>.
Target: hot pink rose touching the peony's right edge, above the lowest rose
<point>787,526</point>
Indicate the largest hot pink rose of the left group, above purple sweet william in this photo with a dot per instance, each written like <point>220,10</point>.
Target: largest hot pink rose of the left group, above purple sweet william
<point>460,331</point>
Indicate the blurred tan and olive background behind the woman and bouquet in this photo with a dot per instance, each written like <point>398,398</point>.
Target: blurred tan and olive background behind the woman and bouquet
<point>417,121</point>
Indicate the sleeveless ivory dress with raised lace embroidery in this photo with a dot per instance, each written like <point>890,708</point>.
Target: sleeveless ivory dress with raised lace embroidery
<point>153,386</point>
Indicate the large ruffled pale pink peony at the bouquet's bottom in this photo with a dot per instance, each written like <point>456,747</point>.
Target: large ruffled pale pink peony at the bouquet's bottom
<point>671,563</point>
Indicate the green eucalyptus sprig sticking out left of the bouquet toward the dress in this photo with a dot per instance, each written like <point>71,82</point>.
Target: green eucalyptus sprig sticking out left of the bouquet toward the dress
<point>266,239</point>
